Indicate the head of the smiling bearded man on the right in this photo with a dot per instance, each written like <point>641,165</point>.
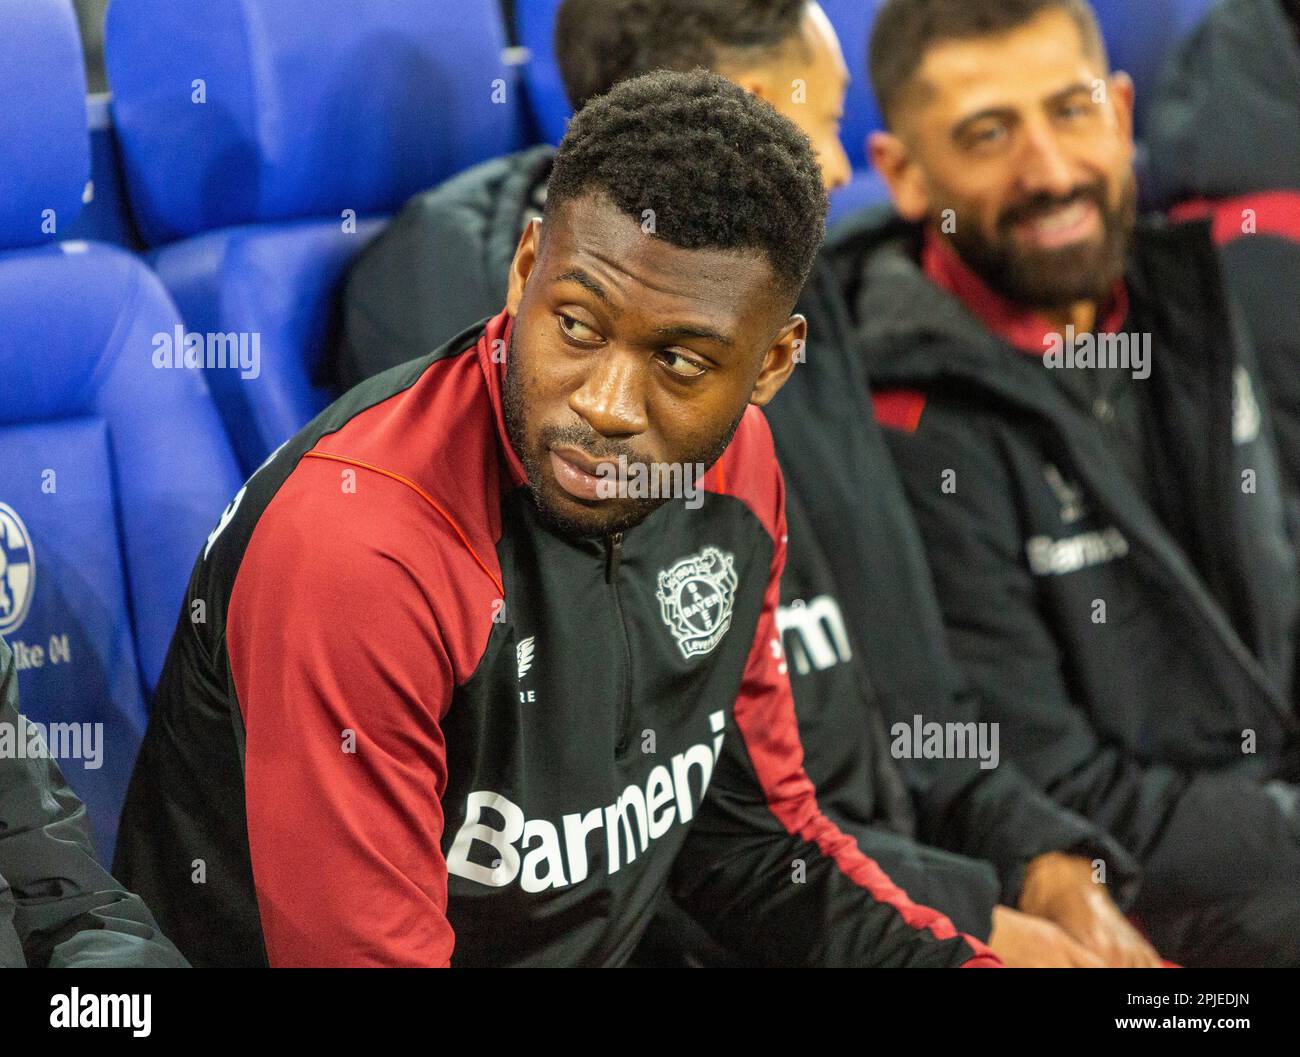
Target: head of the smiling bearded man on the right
<point>1009,136</point>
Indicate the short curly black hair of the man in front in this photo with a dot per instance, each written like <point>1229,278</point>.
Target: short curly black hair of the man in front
<point>720,168</point>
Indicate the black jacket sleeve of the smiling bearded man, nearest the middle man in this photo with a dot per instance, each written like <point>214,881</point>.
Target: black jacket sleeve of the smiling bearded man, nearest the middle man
<point>1163,817</point>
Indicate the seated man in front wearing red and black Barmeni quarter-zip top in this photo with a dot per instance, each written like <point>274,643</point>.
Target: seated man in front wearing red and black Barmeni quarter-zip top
<point>457,701</point>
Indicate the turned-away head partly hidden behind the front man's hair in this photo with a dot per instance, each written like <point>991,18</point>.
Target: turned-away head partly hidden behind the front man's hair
<point>783,51</point>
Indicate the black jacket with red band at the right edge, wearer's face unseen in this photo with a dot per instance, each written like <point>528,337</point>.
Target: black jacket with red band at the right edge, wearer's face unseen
<point>1224,135</point>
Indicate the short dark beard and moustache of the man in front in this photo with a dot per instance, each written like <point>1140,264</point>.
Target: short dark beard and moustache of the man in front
<point>580,436</point>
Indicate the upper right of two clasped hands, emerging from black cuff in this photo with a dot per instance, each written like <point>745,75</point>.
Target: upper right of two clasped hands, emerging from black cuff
<point>1061,889</point>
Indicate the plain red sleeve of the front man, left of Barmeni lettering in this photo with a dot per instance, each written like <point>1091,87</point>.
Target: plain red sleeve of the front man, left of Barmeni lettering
<point>345,759</point>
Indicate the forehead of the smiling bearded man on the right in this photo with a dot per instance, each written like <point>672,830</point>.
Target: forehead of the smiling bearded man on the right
<point>1028,64</point>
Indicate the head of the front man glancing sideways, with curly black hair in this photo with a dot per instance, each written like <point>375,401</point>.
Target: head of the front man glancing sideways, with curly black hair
<point>653,302</point>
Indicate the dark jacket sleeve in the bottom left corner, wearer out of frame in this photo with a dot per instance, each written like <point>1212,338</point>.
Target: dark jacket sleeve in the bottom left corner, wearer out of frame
<point>59,908</point>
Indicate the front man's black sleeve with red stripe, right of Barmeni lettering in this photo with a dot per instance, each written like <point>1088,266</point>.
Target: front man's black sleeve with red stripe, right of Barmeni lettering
<point>766,873</point>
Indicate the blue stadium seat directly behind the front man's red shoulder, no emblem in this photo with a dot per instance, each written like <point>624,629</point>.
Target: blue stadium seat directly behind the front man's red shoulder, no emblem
<point>266,144</point>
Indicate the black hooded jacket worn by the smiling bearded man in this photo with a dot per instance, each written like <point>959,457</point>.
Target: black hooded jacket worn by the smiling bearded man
<point>1141,722</point>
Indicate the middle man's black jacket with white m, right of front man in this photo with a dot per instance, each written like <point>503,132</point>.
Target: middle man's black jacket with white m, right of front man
<point>857,566</point>
